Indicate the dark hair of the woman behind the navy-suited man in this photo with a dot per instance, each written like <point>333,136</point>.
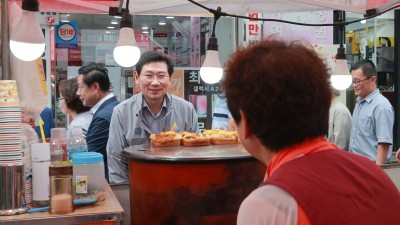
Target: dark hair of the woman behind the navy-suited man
<point>68,90</point>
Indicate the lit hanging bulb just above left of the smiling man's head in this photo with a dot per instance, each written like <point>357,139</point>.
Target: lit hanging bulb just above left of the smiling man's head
<point>126,52</point>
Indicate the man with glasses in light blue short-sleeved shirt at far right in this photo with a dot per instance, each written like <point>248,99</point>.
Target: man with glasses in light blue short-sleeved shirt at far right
<point>373,117</point>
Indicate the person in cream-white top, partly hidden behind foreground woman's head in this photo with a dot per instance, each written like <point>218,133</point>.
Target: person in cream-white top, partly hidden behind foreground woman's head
<point>339,122</point>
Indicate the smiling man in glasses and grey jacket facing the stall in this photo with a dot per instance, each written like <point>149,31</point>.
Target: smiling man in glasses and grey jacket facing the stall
<point>151,111</point>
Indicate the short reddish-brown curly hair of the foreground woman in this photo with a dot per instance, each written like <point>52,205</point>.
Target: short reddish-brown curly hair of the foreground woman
<point>283,89</point>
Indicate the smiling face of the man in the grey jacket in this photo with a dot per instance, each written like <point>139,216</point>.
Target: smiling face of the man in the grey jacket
<point>154,81</point>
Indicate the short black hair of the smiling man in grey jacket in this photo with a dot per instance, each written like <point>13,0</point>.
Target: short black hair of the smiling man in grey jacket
<point>154,56</point>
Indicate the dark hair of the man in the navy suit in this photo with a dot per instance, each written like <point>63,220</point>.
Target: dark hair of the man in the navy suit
<point>94,73</point>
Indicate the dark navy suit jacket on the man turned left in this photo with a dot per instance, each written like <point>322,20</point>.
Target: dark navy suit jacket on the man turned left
<point>97,135</point>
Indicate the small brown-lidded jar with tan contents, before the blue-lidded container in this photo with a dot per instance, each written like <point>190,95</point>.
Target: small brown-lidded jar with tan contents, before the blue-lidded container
<point>61,189</point>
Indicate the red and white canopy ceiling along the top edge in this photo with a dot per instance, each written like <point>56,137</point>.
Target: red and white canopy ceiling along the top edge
<point>184,7</point>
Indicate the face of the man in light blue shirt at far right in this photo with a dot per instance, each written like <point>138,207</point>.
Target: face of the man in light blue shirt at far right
<point>362,85</point>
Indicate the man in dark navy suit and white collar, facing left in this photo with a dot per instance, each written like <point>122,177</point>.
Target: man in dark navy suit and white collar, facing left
<point>94,91</point>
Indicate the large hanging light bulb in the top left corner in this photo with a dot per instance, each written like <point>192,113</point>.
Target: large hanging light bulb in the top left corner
<point>27,39</point>
